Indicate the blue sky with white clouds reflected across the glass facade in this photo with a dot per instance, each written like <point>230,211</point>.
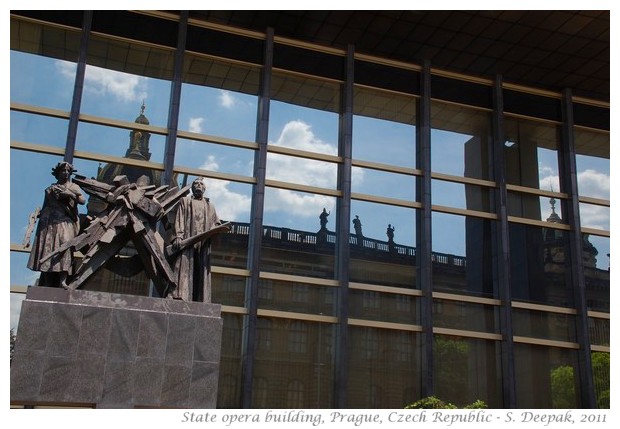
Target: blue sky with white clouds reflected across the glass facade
<point>46,82</point>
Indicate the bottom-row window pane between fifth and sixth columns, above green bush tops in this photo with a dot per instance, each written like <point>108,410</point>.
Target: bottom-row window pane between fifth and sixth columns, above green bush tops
<point>467,370</point>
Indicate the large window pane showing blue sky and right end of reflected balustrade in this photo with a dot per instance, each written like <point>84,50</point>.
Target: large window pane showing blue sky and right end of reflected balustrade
<point>462,254</point>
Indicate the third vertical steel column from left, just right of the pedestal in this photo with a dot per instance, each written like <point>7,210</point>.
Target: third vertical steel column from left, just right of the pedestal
<point>256,227</point>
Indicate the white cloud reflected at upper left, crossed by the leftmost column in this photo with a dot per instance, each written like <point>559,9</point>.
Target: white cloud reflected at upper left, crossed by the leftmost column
<point>125,87</point>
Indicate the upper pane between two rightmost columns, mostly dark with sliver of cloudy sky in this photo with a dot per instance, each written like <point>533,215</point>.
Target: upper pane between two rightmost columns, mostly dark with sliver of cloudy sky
<point>530,154</point>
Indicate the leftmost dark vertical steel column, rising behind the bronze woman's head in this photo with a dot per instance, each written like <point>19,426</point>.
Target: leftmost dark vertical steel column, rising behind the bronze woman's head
<point>78,86</point>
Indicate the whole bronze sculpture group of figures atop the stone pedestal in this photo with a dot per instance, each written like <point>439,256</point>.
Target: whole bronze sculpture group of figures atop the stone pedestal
<point>179,270</point>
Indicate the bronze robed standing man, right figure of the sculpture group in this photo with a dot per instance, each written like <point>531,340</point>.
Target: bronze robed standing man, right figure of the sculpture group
<point>195,215</point>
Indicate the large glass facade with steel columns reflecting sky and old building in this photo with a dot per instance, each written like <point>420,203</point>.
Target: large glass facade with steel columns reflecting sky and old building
<point>372,244</point>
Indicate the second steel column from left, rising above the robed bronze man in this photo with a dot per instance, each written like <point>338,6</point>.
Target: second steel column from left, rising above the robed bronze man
<point>175,100</point>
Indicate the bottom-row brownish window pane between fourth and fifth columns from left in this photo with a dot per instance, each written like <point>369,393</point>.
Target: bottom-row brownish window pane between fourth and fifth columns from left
<point>384,368</point>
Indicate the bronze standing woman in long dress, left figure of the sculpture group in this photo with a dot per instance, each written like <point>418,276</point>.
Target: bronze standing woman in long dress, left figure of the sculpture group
<point>58,223</point>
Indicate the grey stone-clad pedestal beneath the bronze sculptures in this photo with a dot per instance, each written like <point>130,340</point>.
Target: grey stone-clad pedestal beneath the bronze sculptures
<point>115,351</point>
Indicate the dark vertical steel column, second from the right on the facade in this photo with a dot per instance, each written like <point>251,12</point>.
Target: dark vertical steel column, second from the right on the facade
<point>501,255</point>
